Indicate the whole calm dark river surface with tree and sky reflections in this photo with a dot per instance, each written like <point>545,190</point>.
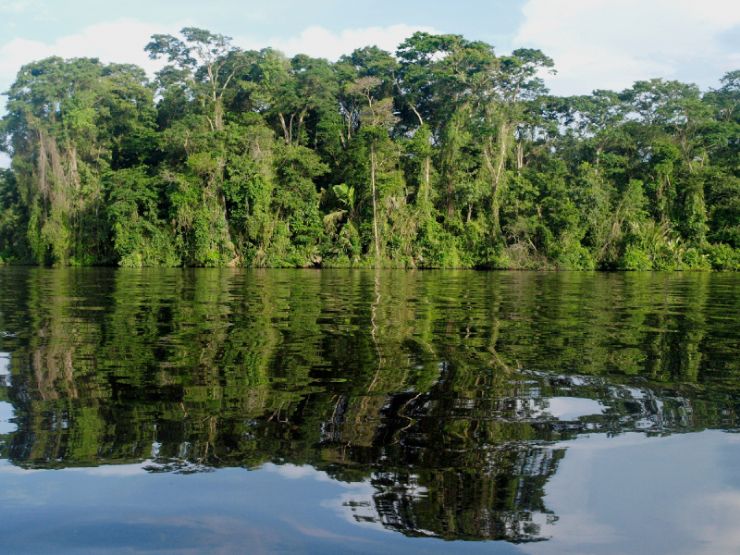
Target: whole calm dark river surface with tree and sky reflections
<point>395,412</point>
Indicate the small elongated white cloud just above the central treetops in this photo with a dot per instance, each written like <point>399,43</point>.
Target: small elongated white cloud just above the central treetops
<point>319,42</point>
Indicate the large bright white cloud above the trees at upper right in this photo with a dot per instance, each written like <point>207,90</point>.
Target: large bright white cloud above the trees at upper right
<point>612,43</point>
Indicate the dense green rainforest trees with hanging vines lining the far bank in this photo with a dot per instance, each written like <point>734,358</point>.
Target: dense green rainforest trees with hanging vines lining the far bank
<point>442,155</point>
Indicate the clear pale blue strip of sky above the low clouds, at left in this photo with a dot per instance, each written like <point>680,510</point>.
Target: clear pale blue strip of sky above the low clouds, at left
<point>265,19</point>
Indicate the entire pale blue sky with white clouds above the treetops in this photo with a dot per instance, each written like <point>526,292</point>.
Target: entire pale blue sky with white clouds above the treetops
<point>595,43</point>
